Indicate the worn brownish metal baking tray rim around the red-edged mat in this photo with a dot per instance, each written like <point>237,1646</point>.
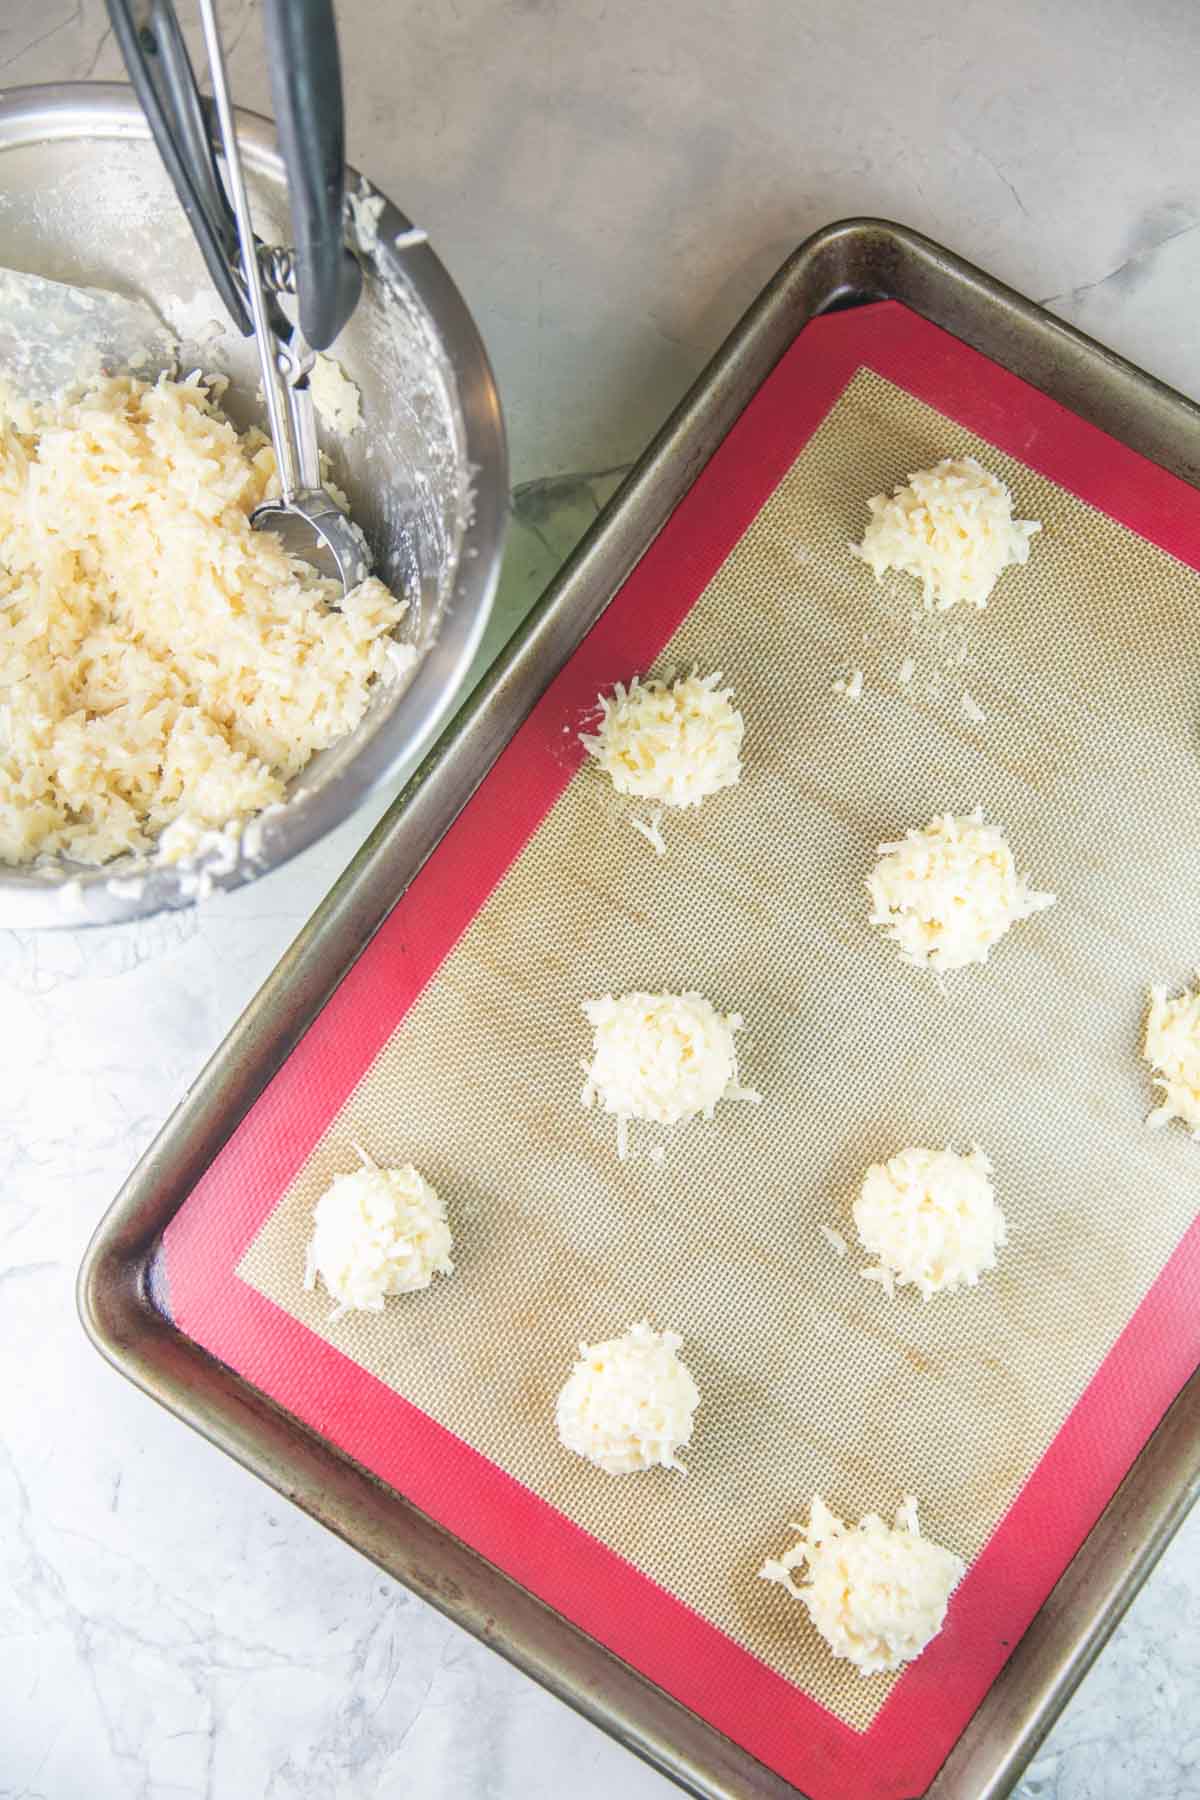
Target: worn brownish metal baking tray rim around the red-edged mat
<point>841,267</point>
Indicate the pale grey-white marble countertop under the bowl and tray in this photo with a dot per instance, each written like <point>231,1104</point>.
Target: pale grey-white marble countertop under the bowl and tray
<point>611,184</point>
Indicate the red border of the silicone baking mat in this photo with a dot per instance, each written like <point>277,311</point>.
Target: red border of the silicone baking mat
<point>524,1536</point>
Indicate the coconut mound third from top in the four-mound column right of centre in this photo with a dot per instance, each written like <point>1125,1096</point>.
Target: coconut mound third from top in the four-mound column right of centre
<point>931,1219</point>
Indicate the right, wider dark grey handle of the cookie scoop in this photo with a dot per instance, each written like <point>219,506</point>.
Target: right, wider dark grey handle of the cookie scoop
<point>307,89</point>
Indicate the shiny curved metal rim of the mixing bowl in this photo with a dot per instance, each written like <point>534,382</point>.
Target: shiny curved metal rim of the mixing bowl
<point>78,897</point>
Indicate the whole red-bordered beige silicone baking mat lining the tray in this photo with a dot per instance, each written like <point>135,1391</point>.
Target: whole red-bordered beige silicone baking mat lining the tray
<point>456,1041</point>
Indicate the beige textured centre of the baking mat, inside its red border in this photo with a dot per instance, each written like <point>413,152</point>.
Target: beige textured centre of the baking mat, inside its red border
<point>810,1380</point>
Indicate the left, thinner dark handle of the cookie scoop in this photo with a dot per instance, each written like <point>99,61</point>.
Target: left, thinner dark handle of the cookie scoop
<point>165,82</point>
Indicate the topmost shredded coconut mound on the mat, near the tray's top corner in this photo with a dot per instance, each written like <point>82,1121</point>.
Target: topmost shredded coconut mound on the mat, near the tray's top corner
<point>953,528</point>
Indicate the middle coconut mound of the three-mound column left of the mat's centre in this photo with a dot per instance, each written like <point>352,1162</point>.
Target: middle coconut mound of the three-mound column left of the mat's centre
<point>661,1057</point>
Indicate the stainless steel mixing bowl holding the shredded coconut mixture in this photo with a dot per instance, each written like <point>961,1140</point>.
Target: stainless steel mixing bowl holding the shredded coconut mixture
<point>84,199</point>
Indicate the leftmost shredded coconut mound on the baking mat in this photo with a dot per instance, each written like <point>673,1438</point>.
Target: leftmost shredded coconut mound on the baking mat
<point>375,1234</point>
